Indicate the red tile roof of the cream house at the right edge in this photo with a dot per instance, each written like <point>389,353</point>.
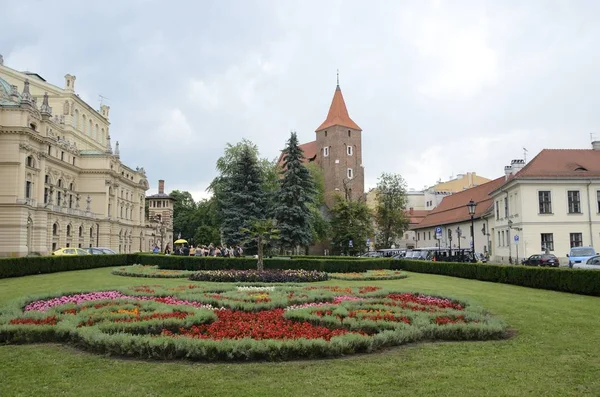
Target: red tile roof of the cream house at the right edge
<point>562,163</point>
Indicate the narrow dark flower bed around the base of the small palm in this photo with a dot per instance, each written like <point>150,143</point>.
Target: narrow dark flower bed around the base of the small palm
<point>255,276</point>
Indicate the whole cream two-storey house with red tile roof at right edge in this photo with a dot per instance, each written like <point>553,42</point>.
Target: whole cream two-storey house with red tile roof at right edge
<point>549,205</point>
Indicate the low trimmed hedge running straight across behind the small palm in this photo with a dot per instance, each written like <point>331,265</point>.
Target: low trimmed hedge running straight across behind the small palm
<point>216,263</point>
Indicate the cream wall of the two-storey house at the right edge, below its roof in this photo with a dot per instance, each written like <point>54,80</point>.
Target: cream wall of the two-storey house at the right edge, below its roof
<point>529,224</point>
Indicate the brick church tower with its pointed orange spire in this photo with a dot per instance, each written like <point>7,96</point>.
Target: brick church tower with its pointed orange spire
<point>339,152</point>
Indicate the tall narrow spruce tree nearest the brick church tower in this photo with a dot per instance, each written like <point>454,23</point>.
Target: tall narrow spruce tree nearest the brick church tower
<point>292,210</point>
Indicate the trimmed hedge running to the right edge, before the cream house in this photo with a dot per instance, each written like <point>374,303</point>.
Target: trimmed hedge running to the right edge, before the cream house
<point>578,281</point>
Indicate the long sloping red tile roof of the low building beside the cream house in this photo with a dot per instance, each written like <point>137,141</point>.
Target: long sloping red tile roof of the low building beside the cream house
<point>453,208</point>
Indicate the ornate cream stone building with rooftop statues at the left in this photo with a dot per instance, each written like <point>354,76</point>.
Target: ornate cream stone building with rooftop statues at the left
<point>62,183</point>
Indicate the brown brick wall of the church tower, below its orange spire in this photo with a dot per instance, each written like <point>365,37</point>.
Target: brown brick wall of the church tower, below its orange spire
<point>336,164</point>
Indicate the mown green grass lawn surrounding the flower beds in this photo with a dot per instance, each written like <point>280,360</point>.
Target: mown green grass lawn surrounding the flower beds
<point>556,352</point>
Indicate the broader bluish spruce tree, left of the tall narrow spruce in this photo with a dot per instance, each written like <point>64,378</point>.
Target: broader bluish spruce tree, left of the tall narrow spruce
<point>242,198</point>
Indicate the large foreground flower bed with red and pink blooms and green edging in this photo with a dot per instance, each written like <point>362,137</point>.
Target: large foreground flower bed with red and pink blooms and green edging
<point>275,322</point>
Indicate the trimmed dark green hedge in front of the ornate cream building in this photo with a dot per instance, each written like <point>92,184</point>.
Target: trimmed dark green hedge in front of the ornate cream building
<point>17,267</point>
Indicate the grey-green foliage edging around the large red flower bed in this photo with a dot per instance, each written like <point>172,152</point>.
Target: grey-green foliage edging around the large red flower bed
<point>168,348</point>
